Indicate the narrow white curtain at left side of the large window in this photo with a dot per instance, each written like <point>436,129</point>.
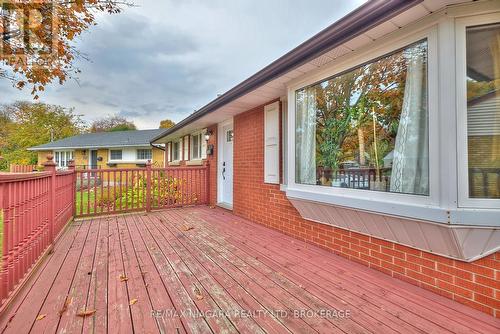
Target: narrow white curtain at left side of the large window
<point>306,137</point>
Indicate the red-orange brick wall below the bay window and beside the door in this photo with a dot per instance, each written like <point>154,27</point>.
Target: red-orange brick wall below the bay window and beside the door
<point>475,284</point>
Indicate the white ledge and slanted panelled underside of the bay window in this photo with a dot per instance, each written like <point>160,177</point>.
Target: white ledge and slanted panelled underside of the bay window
<point>461,234</point>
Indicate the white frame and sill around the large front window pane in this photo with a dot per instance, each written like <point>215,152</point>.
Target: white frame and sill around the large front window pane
<point>442,204</point>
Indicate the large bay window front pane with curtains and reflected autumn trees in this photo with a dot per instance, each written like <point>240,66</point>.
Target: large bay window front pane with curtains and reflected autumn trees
<point>367,128</point>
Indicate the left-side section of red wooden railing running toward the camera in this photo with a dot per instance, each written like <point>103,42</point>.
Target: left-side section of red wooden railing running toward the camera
<point>35,209</point>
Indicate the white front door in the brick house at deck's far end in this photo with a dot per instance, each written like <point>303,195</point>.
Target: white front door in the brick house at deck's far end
<point>226,164</point>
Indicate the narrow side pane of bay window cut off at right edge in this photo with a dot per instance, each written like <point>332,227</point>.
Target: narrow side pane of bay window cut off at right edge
<point>483,110</point>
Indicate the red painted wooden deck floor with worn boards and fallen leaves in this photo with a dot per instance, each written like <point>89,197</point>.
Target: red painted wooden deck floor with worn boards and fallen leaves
<point>205,270</point>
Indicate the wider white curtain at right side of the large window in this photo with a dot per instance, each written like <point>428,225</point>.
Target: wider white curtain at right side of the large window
<point>410,169</point>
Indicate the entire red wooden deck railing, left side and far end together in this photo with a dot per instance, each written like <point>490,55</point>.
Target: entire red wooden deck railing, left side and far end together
<point>35,207</point>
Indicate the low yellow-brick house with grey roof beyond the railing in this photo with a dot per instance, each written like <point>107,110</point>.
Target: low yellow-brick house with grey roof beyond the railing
<point>119,149</point>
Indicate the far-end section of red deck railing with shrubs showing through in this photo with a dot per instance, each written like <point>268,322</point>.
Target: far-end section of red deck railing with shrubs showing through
<point>117,190</point>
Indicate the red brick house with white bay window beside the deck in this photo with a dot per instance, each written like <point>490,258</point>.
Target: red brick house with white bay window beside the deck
<point>392,80</point>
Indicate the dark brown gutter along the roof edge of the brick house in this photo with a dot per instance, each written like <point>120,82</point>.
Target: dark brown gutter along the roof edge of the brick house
<point>352,25</point>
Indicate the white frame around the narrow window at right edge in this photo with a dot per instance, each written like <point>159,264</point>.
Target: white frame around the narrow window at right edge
<point>461,101</point>
